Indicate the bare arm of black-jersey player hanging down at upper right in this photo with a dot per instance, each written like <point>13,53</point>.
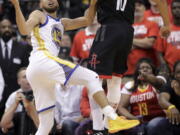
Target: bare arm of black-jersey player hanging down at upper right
<point>163,9</point>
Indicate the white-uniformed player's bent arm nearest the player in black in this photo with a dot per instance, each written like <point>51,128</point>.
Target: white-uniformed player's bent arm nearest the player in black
<point>87,19</point>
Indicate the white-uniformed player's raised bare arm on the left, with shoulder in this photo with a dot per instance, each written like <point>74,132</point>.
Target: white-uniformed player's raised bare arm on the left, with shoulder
<point>25,27</point>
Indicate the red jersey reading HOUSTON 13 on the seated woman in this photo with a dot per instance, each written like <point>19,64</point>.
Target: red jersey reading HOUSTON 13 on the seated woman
<point>145,102</point>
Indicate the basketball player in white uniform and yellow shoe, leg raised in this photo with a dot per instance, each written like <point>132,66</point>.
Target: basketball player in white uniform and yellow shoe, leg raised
<point>46,69</point>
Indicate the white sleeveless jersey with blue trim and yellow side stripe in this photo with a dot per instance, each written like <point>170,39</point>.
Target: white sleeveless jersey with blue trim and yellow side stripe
<point>48,36</point>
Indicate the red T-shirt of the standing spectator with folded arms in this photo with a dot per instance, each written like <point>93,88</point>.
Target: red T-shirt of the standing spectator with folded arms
<point>141,30</point>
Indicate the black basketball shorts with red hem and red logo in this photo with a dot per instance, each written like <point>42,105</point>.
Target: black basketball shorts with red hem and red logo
<point>110,49</point>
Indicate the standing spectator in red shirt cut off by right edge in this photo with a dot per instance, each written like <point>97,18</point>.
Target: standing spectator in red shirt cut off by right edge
<point>169,49</point>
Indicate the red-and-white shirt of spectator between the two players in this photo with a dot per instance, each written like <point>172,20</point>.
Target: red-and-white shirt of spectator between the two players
<point>81,44</point>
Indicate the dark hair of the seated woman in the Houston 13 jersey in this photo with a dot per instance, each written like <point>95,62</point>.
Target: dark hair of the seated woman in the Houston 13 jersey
<point>137,73</point>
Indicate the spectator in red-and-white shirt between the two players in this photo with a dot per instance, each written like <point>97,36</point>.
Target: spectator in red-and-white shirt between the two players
<point>83,41</point>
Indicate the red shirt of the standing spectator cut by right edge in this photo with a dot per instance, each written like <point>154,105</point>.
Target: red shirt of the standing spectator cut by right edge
<point>170,47</point>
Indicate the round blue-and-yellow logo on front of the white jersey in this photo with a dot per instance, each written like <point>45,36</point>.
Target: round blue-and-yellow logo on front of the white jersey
<point>56,35</point>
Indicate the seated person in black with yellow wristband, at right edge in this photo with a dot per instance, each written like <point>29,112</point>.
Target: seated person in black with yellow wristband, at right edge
<point>170,101</point>
